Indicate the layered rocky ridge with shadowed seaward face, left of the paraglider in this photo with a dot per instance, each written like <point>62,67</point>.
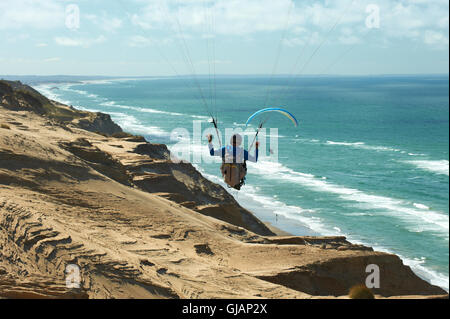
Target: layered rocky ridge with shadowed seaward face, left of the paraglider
<point>149,168</point>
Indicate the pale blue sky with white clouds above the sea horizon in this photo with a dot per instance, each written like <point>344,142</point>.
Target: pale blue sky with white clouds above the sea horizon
<point>156,37</point>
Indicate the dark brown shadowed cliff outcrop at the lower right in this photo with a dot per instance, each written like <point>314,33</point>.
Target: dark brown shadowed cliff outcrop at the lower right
<point>336,276</point>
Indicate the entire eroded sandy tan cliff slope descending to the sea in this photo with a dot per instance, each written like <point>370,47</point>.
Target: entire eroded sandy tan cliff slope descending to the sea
<point>138,225</point>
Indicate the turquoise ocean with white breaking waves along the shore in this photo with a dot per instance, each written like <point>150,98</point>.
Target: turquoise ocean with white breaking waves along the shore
<point>369,160</point>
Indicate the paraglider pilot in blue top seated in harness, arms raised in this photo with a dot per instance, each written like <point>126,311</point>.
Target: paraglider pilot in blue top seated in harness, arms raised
<point>234,158</point>
